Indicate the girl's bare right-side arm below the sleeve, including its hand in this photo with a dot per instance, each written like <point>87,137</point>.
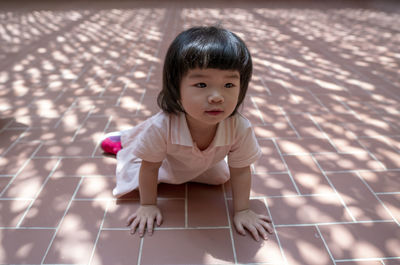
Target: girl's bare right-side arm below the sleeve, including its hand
<point>243,216</point>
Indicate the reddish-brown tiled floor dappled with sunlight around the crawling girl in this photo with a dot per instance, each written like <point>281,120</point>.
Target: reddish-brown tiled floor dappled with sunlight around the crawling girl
<point>324,102</point>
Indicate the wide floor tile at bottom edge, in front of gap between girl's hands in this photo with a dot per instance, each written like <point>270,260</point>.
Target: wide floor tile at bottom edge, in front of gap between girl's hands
<point>207,246</point>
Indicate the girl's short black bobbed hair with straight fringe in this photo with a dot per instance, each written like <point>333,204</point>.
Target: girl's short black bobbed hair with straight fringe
<point>203,47</point>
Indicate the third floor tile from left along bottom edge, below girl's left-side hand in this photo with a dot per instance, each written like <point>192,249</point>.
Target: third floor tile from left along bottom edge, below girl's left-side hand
<point>108,252</point>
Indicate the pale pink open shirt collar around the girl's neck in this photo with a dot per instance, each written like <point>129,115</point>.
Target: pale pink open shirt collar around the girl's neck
<point>180,133</point>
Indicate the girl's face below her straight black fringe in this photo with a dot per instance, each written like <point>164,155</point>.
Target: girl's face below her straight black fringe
<point>209,96</point>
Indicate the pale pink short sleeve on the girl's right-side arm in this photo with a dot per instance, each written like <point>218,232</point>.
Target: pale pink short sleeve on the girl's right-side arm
<point>245,150</point>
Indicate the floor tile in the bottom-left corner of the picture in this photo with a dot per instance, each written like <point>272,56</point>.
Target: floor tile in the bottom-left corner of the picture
<point>26,247</point>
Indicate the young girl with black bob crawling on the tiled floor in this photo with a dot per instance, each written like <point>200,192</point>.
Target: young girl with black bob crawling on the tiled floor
<point>205,78</point>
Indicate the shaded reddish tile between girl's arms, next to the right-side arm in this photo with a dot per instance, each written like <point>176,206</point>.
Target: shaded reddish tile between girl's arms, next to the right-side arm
<point>206,206</point>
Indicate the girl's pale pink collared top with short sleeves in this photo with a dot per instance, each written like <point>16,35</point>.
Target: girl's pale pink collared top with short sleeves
<point>166,137</point>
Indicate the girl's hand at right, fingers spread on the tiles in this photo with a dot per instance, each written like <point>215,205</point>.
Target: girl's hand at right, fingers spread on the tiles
<point>256,224</point>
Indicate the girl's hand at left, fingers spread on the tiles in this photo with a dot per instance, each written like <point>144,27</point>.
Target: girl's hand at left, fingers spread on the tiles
<point>144,217</point>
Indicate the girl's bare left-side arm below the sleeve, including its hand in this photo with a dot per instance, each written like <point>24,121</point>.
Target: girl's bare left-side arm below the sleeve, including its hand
<point>148,210</point>
